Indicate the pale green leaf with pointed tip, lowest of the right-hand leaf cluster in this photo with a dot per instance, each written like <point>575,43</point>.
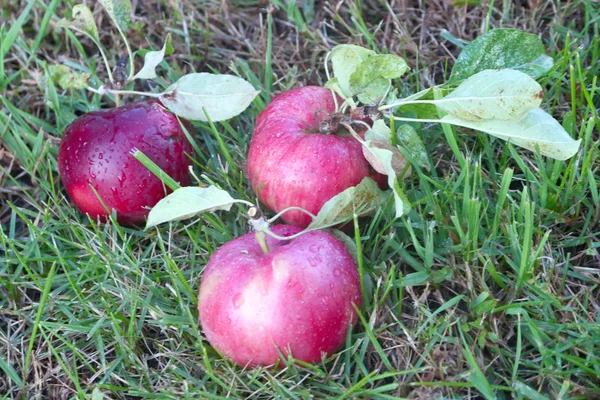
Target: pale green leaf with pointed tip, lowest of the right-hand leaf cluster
<point>537,128</point>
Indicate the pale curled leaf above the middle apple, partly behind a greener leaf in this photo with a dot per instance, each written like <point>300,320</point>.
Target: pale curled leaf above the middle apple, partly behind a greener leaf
<point>344,59</point>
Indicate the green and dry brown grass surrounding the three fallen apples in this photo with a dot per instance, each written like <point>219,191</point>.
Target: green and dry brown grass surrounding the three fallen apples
<point>488,288</point>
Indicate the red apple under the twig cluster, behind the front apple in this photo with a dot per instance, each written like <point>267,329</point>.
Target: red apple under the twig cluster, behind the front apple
<point>290,163</point>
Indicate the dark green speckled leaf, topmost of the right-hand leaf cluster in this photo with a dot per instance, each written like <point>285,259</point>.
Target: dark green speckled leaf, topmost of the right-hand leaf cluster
<point>502,48</point>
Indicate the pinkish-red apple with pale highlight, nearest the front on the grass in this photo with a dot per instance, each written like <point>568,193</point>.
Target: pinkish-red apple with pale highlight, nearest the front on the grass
<point>297,298</point>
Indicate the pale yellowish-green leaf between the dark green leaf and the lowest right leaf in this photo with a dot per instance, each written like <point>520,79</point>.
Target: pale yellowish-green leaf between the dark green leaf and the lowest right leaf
<point>494,94</point>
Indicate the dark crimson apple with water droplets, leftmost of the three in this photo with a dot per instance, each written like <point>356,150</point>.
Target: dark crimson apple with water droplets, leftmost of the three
<point>95,150</point>
